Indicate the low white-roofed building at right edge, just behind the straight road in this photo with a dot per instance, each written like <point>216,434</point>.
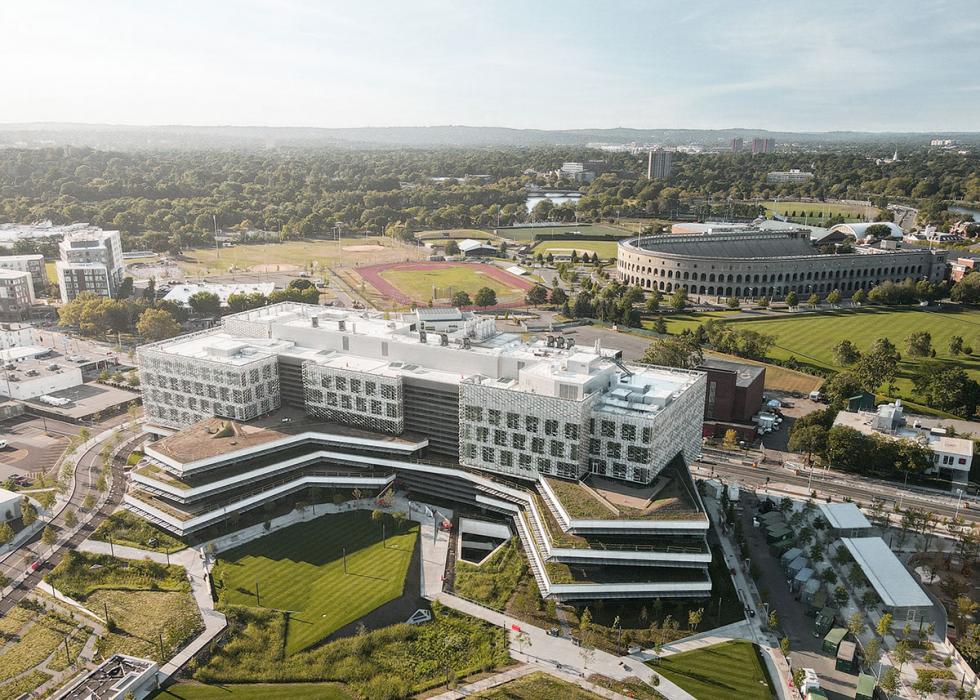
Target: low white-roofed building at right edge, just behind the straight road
<point>952,457</point>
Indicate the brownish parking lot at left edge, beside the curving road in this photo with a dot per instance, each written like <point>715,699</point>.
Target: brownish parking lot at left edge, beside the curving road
<point>30,449</point>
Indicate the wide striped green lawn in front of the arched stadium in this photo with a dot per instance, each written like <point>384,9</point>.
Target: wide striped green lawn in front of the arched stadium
<point>811,338</point>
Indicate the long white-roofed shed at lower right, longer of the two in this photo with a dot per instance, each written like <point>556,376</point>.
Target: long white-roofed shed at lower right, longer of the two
<point>899,592</point>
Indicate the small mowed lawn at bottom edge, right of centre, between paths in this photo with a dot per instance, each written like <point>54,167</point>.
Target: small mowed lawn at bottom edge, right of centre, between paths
<point>719,672</point>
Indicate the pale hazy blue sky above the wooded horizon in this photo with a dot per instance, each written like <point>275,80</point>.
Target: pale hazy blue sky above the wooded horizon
<point>793,65</point>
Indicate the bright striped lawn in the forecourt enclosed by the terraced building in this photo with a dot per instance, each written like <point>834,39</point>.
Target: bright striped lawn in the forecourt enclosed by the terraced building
<point>301,569</point>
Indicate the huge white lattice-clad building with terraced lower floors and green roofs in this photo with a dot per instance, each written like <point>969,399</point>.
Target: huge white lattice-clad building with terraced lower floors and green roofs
<point>585,454</point>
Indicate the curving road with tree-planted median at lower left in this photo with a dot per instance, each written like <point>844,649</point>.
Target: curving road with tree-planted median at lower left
<point>86,476</point>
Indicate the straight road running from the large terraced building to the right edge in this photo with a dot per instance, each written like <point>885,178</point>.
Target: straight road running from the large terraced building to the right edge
<point>858,488</point>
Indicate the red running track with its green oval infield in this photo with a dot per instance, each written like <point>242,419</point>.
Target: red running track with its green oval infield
<point>419,283</point>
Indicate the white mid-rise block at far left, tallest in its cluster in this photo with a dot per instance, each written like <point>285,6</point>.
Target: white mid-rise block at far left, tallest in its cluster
<point>91,261</point>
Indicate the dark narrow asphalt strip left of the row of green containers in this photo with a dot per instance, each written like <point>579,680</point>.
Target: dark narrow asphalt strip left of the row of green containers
<point>795,624</point>
